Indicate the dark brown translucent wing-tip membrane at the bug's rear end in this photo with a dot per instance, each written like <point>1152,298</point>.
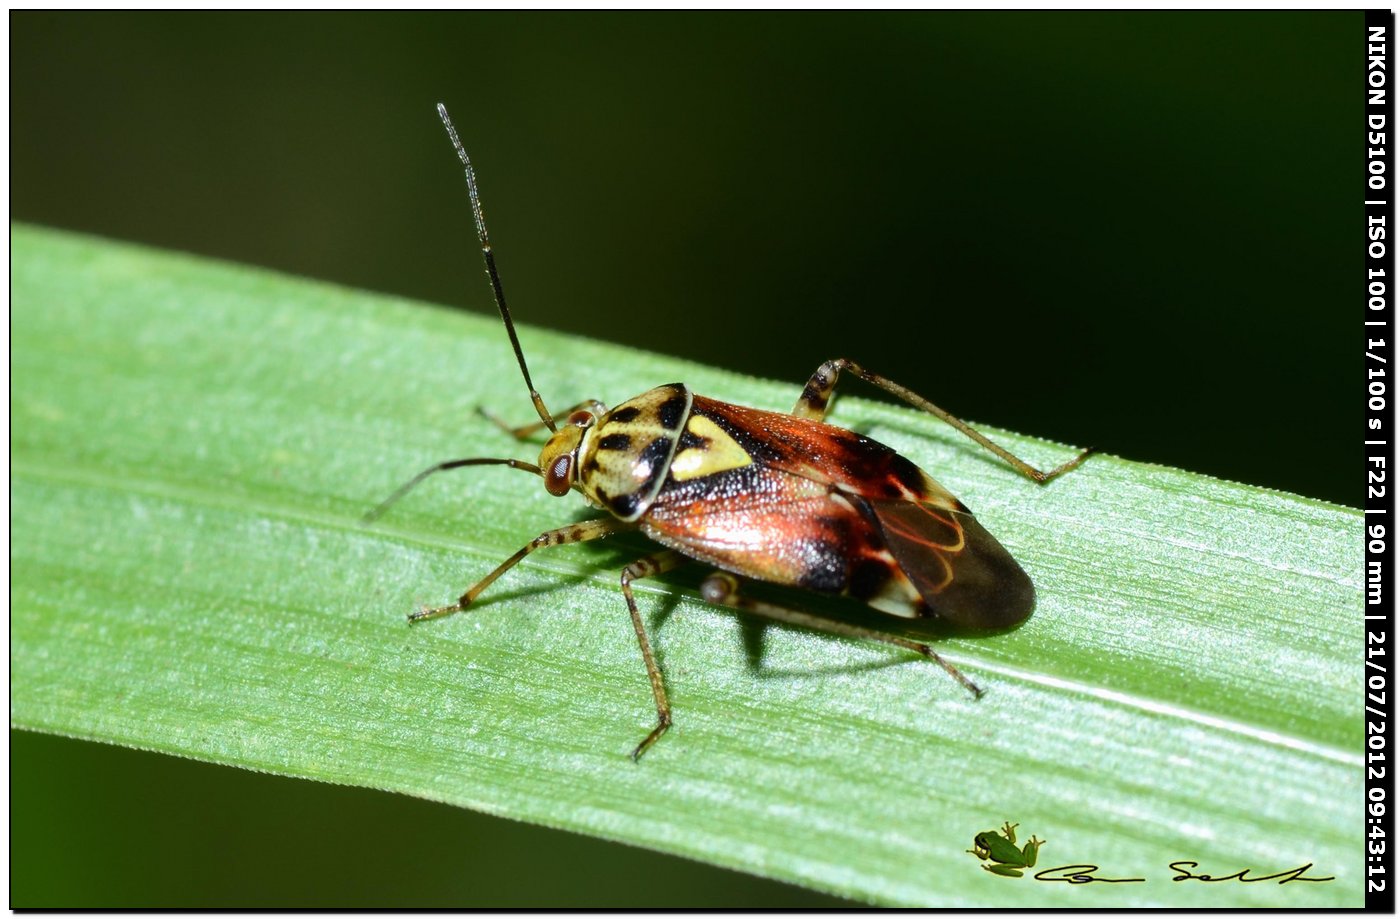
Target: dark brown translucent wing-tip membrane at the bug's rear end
<point>965,576</point>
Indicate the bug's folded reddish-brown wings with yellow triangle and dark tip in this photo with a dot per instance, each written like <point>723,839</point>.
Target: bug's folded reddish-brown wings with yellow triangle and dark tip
<point>796,502</point>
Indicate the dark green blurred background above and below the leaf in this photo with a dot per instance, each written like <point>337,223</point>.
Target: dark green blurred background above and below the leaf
<point>1130,230</point>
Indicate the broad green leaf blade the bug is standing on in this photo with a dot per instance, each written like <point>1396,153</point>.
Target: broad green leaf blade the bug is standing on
<point>194,446</point>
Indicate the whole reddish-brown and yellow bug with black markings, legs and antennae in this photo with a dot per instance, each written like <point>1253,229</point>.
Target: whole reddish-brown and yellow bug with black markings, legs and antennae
<point>761,495</point>
